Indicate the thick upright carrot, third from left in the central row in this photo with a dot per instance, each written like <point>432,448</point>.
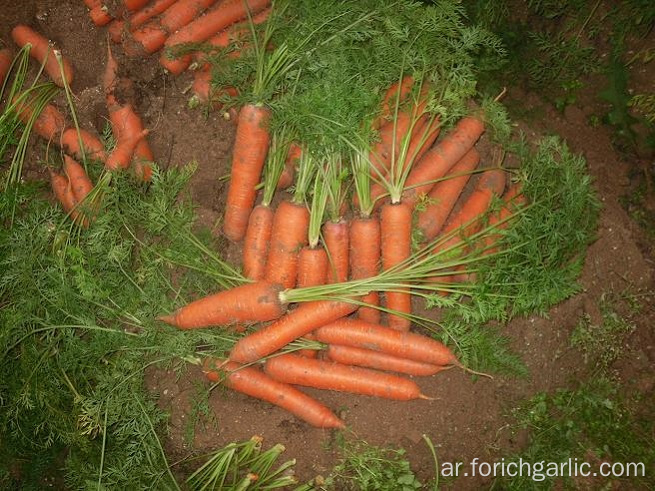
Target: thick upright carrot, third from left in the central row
<point>289,235</point>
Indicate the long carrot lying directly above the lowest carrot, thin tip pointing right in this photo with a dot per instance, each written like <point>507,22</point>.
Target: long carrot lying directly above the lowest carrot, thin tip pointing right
<point>321,374</point>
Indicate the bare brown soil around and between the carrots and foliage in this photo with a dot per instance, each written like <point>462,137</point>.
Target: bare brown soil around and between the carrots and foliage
<point>469,417</point>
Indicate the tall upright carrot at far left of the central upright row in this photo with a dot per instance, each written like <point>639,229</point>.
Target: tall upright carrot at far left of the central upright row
<point>248,157</point>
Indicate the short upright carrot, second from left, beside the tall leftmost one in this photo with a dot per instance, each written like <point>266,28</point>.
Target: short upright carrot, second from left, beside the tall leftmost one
<point>256,241</point>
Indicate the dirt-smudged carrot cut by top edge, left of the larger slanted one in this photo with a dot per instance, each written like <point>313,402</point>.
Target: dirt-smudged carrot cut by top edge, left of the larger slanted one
<point>151,36</point>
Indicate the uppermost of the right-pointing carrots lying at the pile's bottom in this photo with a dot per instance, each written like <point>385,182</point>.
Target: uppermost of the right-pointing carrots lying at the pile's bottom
<point>408,345</point>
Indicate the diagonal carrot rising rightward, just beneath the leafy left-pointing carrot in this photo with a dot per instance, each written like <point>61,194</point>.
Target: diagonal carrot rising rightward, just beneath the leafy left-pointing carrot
<point>296,323</point>
